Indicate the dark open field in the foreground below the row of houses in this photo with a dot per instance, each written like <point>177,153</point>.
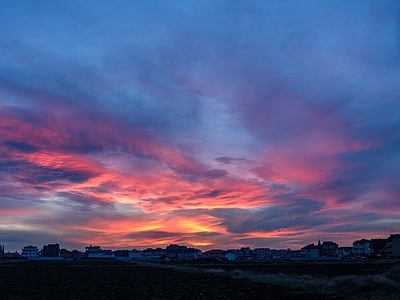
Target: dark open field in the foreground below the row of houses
<point>129,280</point>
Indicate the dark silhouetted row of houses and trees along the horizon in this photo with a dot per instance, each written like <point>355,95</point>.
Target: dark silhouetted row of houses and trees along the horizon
<point>380,248</point>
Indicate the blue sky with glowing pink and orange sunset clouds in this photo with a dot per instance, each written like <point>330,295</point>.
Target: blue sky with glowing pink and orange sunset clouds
<point>213,124</point>
